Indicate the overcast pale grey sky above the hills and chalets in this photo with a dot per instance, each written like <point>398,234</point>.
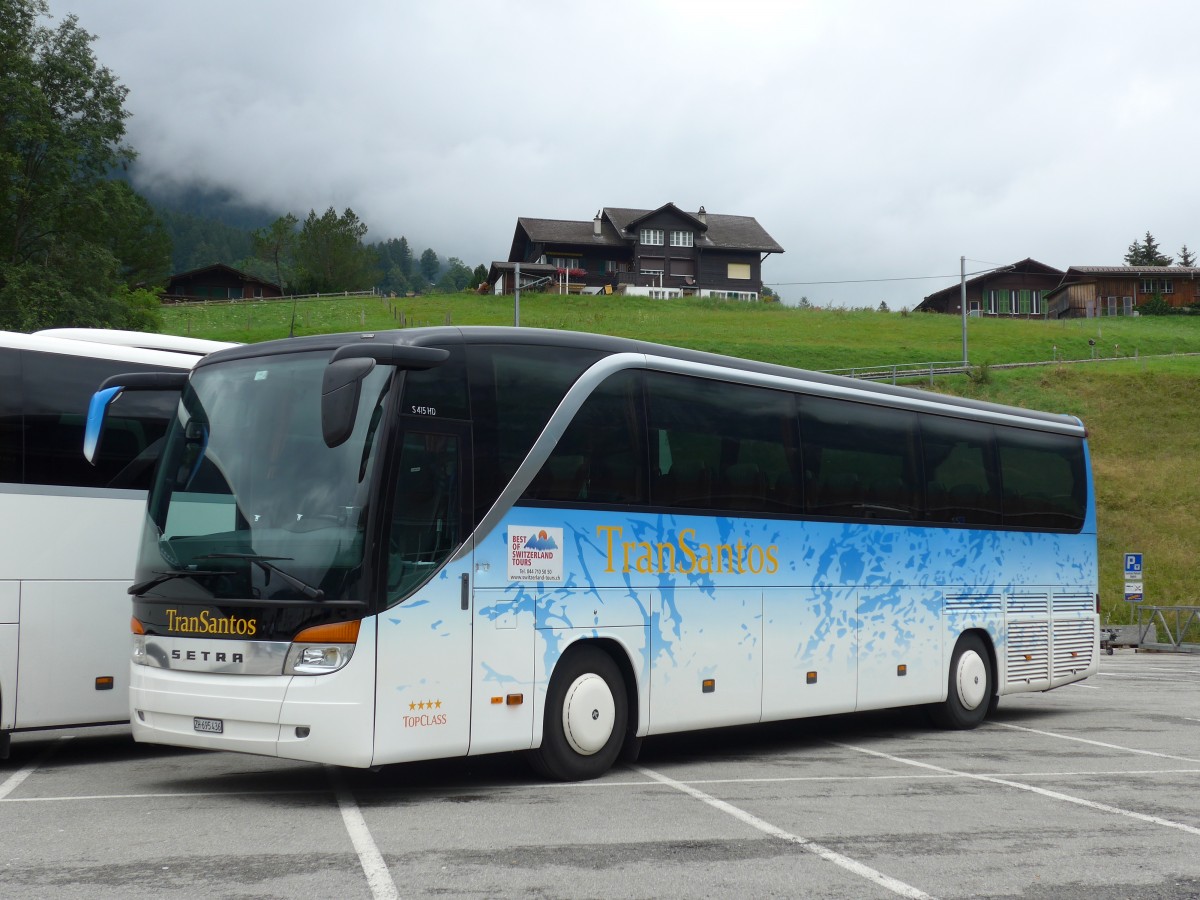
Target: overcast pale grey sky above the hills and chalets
<point>873,141</point>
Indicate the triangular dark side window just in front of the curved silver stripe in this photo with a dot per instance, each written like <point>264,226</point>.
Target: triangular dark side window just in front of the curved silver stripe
<point>514,391</point>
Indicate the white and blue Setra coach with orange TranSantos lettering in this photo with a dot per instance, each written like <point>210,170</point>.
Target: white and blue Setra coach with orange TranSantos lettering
<point>382,548</point>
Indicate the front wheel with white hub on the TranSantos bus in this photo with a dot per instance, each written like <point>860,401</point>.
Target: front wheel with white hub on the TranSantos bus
<point>586,718</point>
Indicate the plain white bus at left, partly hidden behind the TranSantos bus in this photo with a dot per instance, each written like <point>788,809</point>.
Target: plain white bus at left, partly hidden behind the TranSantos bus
<point>71,530</point>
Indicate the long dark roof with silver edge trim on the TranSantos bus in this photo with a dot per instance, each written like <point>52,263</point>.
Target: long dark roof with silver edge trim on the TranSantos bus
<point>445,335</point>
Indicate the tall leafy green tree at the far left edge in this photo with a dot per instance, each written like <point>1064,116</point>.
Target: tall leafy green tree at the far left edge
<point>73,241</point>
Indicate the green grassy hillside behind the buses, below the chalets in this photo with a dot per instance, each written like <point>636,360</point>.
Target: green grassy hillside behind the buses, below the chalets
<point>1142,404</point>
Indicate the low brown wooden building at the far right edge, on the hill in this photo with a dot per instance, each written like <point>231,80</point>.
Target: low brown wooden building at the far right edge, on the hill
<point>1089,291</point>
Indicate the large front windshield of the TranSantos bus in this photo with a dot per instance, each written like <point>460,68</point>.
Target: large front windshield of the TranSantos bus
<point>249,503</point>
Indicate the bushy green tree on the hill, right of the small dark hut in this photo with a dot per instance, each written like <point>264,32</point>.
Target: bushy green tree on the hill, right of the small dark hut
<point>331,255</point>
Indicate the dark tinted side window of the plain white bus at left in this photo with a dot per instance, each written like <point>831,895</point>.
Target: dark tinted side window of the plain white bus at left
<point>58,389</point>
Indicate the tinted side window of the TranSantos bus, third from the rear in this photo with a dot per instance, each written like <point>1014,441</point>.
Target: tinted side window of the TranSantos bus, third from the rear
<point>860,460</point>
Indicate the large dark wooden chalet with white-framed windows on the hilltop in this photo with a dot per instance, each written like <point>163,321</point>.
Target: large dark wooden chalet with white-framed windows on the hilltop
<point>663,254</point>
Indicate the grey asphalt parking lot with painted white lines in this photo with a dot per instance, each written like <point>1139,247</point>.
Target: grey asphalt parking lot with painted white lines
<point>1090,791</point>
